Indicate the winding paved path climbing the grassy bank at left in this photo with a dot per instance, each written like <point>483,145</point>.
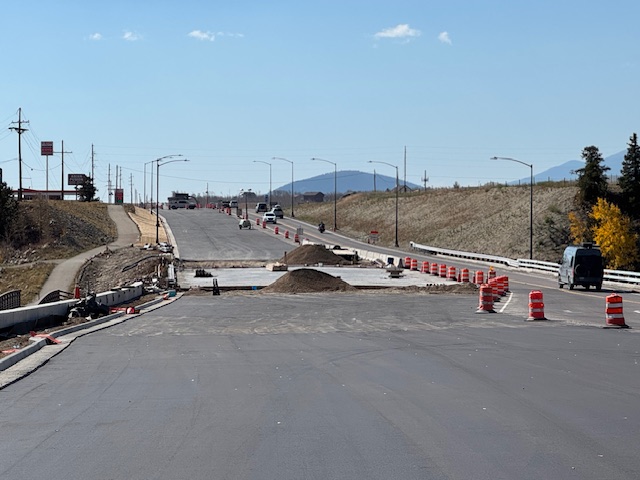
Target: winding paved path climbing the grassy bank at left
<point>63,275</point>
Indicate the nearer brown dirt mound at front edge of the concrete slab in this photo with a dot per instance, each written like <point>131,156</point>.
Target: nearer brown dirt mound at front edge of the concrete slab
<point>308,280</point>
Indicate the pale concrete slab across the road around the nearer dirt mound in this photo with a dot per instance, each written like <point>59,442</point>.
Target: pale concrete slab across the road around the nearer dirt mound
<point>261,277</point>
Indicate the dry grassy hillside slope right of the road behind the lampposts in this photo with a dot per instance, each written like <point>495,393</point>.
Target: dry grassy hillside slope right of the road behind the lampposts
<point>490,220</point>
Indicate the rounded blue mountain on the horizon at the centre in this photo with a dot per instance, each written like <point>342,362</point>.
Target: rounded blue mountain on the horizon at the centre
<point>345,181</point>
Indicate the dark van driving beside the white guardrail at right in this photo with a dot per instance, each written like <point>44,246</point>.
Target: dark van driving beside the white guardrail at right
<point>581,265</point>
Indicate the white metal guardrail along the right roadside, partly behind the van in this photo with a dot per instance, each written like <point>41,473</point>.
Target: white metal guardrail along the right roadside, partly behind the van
<point>619,276</point>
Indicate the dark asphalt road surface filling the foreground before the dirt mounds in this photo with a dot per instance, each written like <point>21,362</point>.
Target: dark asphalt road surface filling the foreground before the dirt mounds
<point>365,386</point>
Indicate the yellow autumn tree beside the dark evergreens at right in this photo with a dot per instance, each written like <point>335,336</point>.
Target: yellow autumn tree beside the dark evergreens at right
<point>612,232</point>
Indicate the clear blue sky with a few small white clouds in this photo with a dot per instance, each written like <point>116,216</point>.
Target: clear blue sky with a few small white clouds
<point>227,84</point>
